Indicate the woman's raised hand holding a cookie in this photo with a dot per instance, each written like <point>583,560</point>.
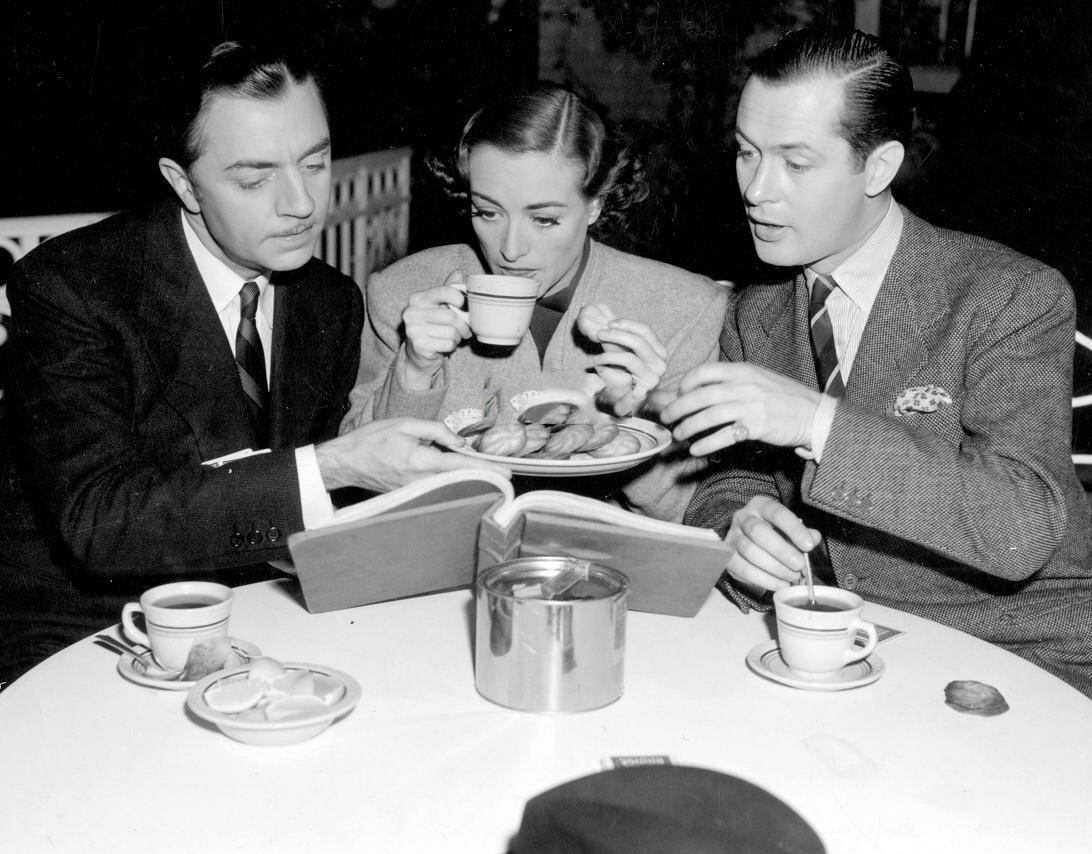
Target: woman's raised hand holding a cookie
<point>634,360</point>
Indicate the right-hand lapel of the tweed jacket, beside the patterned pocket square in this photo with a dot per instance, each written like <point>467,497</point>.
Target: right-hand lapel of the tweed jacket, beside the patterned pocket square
<point>895,343</point>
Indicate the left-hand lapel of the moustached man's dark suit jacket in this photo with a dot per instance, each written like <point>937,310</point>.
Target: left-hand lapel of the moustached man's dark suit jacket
<point>187,343</point>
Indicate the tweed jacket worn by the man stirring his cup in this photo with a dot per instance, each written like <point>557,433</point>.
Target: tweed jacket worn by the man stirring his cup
<point>970,515</point>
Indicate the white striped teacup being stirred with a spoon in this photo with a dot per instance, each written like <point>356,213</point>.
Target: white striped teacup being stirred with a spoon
<point>818,642</point>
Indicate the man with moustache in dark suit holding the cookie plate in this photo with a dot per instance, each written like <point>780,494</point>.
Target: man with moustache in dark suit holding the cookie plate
<point>139,361</point>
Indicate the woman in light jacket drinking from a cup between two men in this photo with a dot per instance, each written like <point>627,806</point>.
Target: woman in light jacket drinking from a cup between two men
<point>540,171</point>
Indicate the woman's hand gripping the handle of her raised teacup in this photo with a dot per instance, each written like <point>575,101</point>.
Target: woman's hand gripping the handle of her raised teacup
<point>435,325</point>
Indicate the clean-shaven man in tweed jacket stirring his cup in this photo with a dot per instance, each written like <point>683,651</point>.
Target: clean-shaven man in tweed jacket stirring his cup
<point>906,395</point>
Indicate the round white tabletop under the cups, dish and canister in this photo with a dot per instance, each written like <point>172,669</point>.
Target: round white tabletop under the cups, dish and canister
<point>92,763</point>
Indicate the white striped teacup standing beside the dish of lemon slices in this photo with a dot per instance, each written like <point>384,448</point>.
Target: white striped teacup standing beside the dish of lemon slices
<point>180,618</point>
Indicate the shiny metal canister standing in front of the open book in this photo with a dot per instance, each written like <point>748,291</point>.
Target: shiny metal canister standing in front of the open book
<point>551,635</point>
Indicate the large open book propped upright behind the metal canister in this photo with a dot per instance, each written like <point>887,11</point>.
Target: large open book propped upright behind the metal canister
<point>436,533</point>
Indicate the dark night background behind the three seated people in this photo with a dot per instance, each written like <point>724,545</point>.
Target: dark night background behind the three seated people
<point>1005,155</point>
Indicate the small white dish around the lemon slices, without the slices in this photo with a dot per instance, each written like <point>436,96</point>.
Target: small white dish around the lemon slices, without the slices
<point>289,731</point>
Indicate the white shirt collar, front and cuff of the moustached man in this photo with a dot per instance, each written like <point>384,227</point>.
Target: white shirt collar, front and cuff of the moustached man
<point>224,286</point>
